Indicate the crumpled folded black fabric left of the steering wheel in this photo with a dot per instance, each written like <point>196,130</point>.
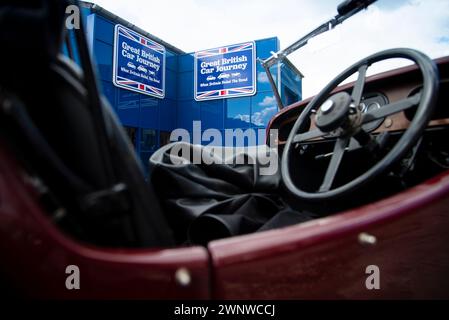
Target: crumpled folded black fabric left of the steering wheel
<point>207,202</point>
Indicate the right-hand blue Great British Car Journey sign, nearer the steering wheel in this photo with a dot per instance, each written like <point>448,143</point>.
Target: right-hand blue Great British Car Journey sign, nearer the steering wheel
<point>225,72</point>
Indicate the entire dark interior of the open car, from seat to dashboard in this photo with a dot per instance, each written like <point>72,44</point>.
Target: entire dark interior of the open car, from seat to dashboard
<point>348,146</point>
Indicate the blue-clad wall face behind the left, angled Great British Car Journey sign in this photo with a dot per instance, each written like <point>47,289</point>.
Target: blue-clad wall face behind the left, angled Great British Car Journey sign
<point>150,116</point>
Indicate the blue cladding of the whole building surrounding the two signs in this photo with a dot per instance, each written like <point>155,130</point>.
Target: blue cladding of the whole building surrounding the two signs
<point>179,109</point>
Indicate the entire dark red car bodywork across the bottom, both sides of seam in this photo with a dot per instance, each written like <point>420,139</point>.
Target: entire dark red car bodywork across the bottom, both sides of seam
<point>323,258</point>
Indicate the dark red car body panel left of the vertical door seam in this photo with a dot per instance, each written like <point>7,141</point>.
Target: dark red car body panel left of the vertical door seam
<point>34,255</point>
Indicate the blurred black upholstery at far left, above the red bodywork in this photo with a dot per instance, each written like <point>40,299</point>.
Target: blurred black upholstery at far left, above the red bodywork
<point>89,167</point>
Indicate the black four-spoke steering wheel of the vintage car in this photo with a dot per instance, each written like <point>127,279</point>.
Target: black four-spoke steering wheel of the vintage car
<point>340,116</point>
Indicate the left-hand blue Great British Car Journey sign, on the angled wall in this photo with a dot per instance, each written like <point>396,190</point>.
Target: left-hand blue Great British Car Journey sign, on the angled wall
<point>139,63</point>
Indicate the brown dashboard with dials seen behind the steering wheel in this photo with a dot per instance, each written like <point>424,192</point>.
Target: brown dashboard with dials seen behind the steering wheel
<point>380,90</point>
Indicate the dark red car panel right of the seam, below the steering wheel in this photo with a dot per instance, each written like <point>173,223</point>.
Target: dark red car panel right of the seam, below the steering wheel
<point>324,259</point>
